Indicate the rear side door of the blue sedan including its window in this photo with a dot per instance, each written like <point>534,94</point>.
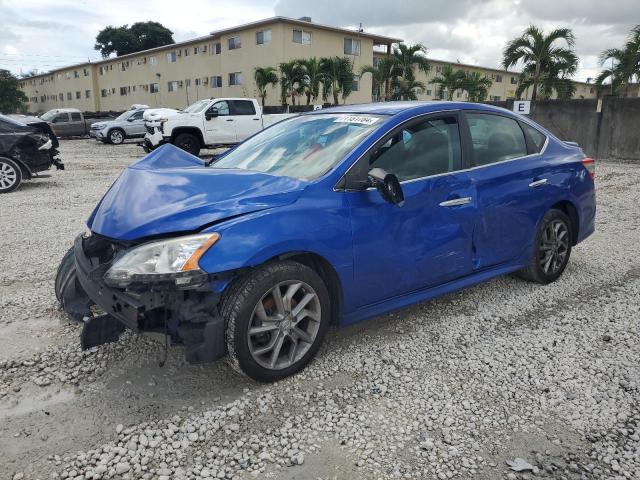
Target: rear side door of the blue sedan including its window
<point>510,177</point>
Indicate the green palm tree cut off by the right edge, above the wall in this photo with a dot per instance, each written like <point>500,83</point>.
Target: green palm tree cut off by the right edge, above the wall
<point>625,64</point>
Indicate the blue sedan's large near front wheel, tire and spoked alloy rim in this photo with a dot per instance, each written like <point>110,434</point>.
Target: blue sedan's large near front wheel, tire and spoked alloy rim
<point>276,319</point>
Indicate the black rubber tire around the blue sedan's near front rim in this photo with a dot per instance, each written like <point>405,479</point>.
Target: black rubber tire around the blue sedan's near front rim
<point>238,306</point>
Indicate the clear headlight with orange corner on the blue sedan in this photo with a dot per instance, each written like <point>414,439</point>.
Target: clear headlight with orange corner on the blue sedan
<point>174,260</point>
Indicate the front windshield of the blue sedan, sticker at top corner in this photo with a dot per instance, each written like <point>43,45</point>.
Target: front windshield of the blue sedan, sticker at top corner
<point>304,147</point>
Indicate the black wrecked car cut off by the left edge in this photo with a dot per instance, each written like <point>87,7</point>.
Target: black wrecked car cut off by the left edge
<point>25,150</point>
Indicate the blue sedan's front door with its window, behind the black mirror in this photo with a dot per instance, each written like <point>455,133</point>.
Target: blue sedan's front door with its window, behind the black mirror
<point>427,240</point>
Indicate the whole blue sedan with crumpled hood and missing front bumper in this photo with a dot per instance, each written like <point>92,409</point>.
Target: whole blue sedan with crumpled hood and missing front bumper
<point>330,217</point>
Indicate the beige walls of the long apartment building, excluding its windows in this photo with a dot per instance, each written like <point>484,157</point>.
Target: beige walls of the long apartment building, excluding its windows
<point>139,71</point>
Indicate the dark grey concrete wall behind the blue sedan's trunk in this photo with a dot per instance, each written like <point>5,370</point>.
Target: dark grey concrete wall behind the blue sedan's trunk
<point>611,133</point>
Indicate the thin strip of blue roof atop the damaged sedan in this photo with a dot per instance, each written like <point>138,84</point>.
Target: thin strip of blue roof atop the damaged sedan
<point>396,108</point>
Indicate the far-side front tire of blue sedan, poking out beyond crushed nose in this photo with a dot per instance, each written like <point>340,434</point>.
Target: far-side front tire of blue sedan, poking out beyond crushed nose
<point>72,298</point>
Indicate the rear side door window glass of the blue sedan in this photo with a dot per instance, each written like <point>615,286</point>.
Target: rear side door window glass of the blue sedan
<point>495,138</point>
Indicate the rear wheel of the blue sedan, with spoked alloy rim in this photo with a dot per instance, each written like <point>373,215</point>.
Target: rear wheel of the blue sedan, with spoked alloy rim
<point>551,250</point>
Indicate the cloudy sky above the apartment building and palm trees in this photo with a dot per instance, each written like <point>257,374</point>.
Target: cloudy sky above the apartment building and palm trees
<point>43,35</point>
